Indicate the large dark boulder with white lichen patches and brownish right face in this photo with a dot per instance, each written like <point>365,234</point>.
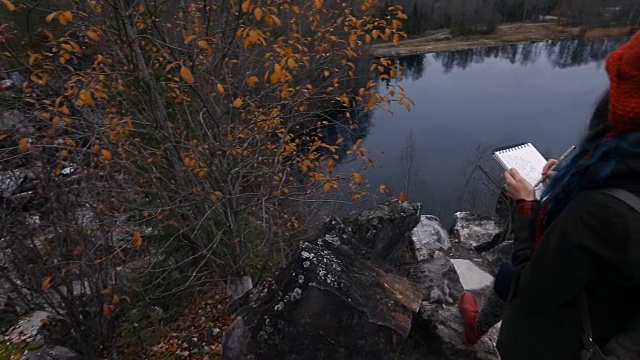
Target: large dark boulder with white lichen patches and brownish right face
<point>335,300</point>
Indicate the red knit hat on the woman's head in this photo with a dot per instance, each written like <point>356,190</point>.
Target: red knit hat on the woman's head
<point>623,66</point>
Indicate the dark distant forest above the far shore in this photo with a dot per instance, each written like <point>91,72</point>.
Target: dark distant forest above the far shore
<point>483,16</point>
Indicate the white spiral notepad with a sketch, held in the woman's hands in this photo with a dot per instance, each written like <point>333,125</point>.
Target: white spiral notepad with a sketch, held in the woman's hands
<point>523,157</point>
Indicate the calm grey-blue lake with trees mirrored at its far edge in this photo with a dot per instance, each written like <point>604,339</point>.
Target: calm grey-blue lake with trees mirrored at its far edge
<point>470,102</point>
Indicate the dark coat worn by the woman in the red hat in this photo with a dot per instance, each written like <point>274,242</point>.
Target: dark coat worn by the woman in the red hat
<point>594,244</point>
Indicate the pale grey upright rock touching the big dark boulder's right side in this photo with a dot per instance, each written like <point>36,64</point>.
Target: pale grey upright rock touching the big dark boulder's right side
<point>429,235</point>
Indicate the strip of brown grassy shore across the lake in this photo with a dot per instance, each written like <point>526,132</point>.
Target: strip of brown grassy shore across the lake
<point>440,41</point>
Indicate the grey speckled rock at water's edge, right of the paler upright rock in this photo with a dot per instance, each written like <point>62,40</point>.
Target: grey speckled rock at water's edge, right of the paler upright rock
<point>473,230</point>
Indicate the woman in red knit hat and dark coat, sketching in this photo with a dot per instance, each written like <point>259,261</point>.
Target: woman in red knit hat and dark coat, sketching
<point>580,239</point>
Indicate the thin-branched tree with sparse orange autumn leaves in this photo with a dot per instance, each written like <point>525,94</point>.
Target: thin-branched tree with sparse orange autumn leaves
<point>170,144</point>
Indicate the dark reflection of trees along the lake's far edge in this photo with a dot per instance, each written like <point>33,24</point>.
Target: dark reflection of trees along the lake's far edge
<point>561,54</point>
